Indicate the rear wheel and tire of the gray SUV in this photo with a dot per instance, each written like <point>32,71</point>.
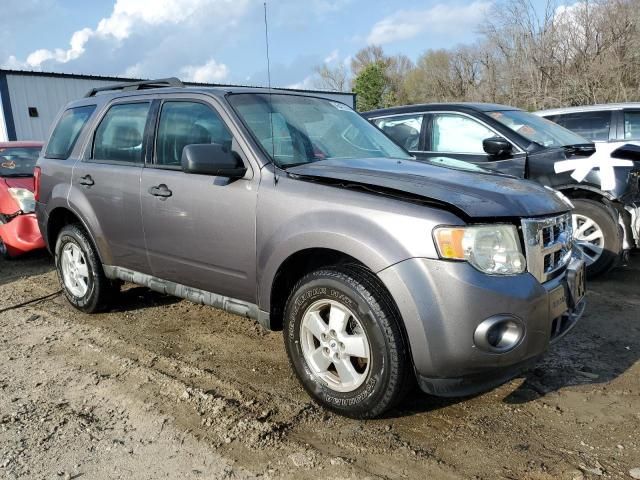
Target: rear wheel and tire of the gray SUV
<point>88,290</point>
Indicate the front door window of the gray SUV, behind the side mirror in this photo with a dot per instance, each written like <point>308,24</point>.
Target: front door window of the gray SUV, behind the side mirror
<point>185,123</point>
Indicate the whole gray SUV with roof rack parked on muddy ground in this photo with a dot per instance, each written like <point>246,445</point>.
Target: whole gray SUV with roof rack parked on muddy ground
<point>295,211</point>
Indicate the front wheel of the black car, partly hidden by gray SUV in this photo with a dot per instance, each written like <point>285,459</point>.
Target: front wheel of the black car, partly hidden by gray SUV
<point>596,234</point>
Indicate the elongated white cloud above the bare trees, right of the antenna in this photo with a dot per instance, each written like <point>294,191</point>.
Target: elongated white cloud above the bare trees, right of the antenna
<point>440,19</point>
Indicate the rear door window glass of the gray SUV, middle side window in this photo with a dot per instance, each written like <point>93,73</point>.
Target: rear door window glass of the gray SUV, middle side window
<point>119,137</point>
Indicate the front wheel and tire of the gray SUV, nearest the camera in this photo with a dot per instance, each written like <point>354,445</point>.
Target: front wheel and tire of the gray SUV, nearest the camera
<point>382,366</point>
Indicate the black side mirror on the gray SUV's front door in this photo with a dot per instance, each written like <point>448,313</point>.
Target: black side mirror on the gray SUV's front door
<point>212,159</point>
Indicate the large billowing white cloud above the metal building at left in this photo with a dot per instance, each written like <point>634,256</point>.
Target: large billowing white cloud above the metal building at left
<point>136,38</point>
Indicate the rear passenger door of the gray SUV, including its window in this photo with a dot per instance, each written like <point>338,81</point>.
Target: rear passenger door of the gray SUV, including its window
<point>108,178</point>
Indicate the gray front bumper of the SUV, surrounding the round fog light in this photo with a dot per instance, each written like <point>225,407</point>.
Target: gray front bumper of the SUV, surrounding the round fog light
<point>442,303</point>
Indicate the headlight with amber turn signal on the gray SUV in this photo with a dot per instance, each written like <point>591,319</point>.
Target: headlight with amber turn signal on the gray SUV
<point>493,249</point>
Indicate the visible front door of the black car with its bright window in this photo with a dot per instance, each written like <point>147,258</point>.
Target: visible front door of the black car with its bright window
<point>459,135</point>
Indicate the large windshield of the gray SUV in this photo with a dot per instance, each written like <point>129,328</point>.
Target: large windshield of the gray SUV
<point>295,130</point>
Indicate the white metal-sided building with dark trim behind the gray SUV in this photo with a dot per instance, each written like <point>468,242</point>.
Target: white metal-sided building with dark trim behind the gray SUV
<point>21,92</point>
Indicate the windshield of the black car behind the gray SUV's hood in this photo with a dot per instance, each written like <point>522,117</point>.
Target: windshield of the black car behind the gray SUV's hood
<point>536,129</point>
